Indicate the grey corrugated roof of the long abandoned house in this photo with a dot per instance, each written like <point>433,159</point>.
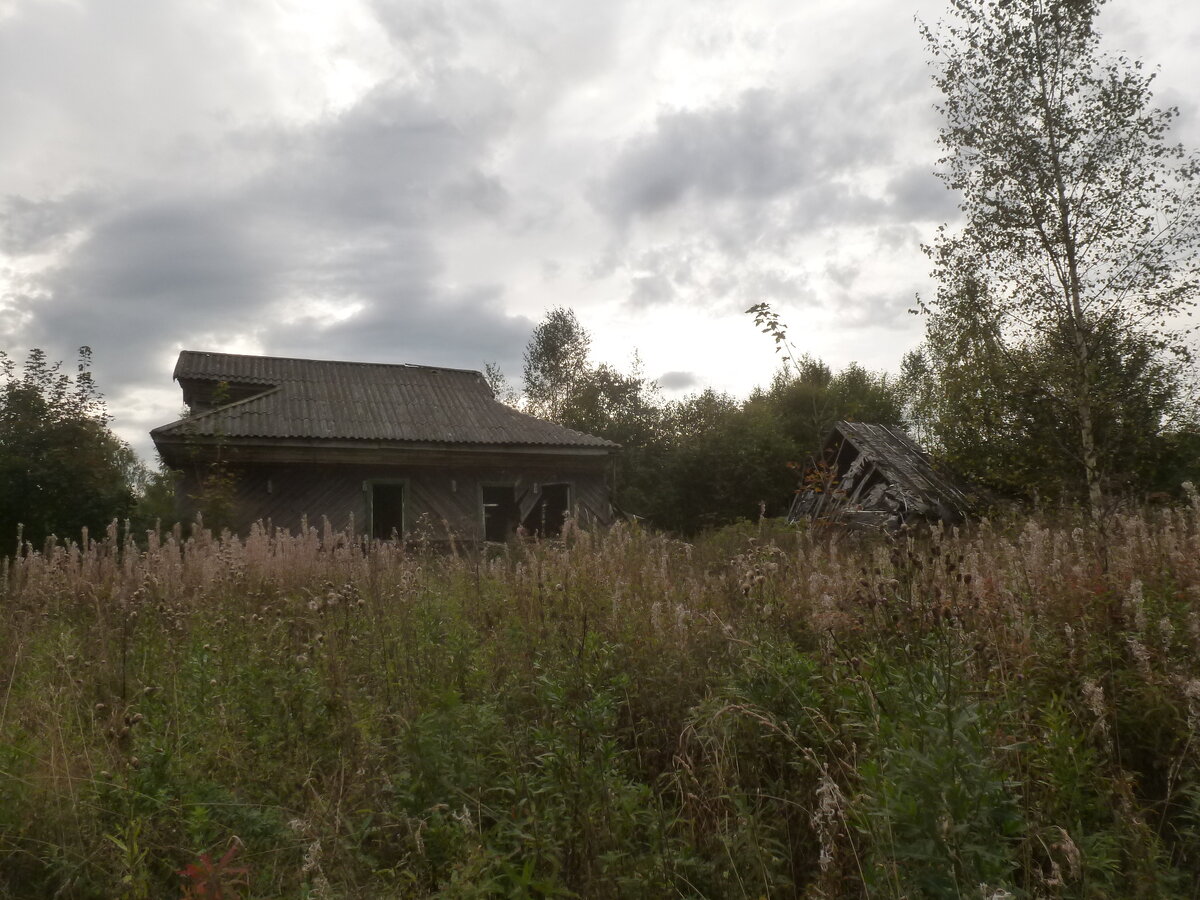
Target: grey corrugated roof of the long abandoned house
<point>361,401</point>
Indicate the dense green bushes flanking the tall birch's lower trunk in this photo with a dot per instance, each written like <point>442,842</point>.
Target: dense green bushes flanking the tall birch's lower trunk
<point>1005,416</point>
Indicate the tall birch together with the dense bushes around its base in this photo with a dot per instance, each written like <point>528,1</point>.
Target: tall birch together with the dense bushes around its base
<point>1078,249</point>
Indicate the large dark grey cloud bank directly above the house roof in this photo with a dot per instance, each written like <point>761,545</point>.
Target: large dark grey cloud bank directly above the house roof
<point>344,217</point>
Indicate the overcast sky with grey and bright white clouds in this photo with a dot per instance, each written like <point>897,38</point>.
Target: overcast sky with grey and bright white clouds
<point>411,182</point>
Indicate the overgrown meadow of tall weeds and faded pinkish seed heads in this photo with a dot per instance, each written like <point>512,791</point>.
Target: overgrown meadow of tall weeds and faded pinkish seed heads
<point>1013,711</point>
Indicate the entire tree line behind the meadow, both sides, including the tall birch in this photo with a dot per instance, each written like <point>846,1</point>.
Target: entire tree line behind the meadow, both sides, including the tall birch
<point>1058,364</point>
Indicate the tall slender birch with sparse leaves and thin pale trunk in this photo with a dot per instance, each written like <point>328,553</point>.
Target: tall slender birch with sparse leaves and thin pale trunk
<point>1081,219</point>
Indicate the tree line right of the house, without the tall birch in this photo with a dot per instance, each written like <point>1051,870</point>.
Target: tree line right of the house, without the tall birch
<point>710,459</point>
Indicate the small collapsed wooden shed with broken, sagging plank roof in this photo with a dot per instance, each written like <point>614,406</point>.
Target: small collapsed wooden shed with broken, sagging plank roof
<point>878,476</point>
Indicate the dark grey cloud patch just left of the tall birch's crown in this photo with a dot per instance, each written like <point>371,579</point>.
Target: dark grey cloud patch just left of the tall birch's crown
<point>731,193</point>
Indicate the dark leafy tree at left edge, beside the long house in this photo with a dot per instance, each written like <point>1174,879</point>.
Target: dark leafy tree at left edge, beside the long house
<point>62,470</point>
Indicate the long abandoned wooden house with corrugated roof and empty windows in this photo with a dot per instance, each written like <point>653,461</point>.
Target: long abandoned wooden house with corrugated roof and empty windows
<point>382,449</point>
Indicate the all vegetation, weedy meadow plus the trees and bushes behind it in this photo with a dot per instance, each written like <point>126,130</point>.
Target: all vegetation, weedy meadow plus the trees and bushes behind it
<point>1006,711</point>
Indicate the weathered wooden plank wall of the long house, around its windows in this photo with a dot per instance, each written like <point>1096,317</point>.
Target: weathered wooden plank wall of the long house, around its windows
<point>437,501</point>
